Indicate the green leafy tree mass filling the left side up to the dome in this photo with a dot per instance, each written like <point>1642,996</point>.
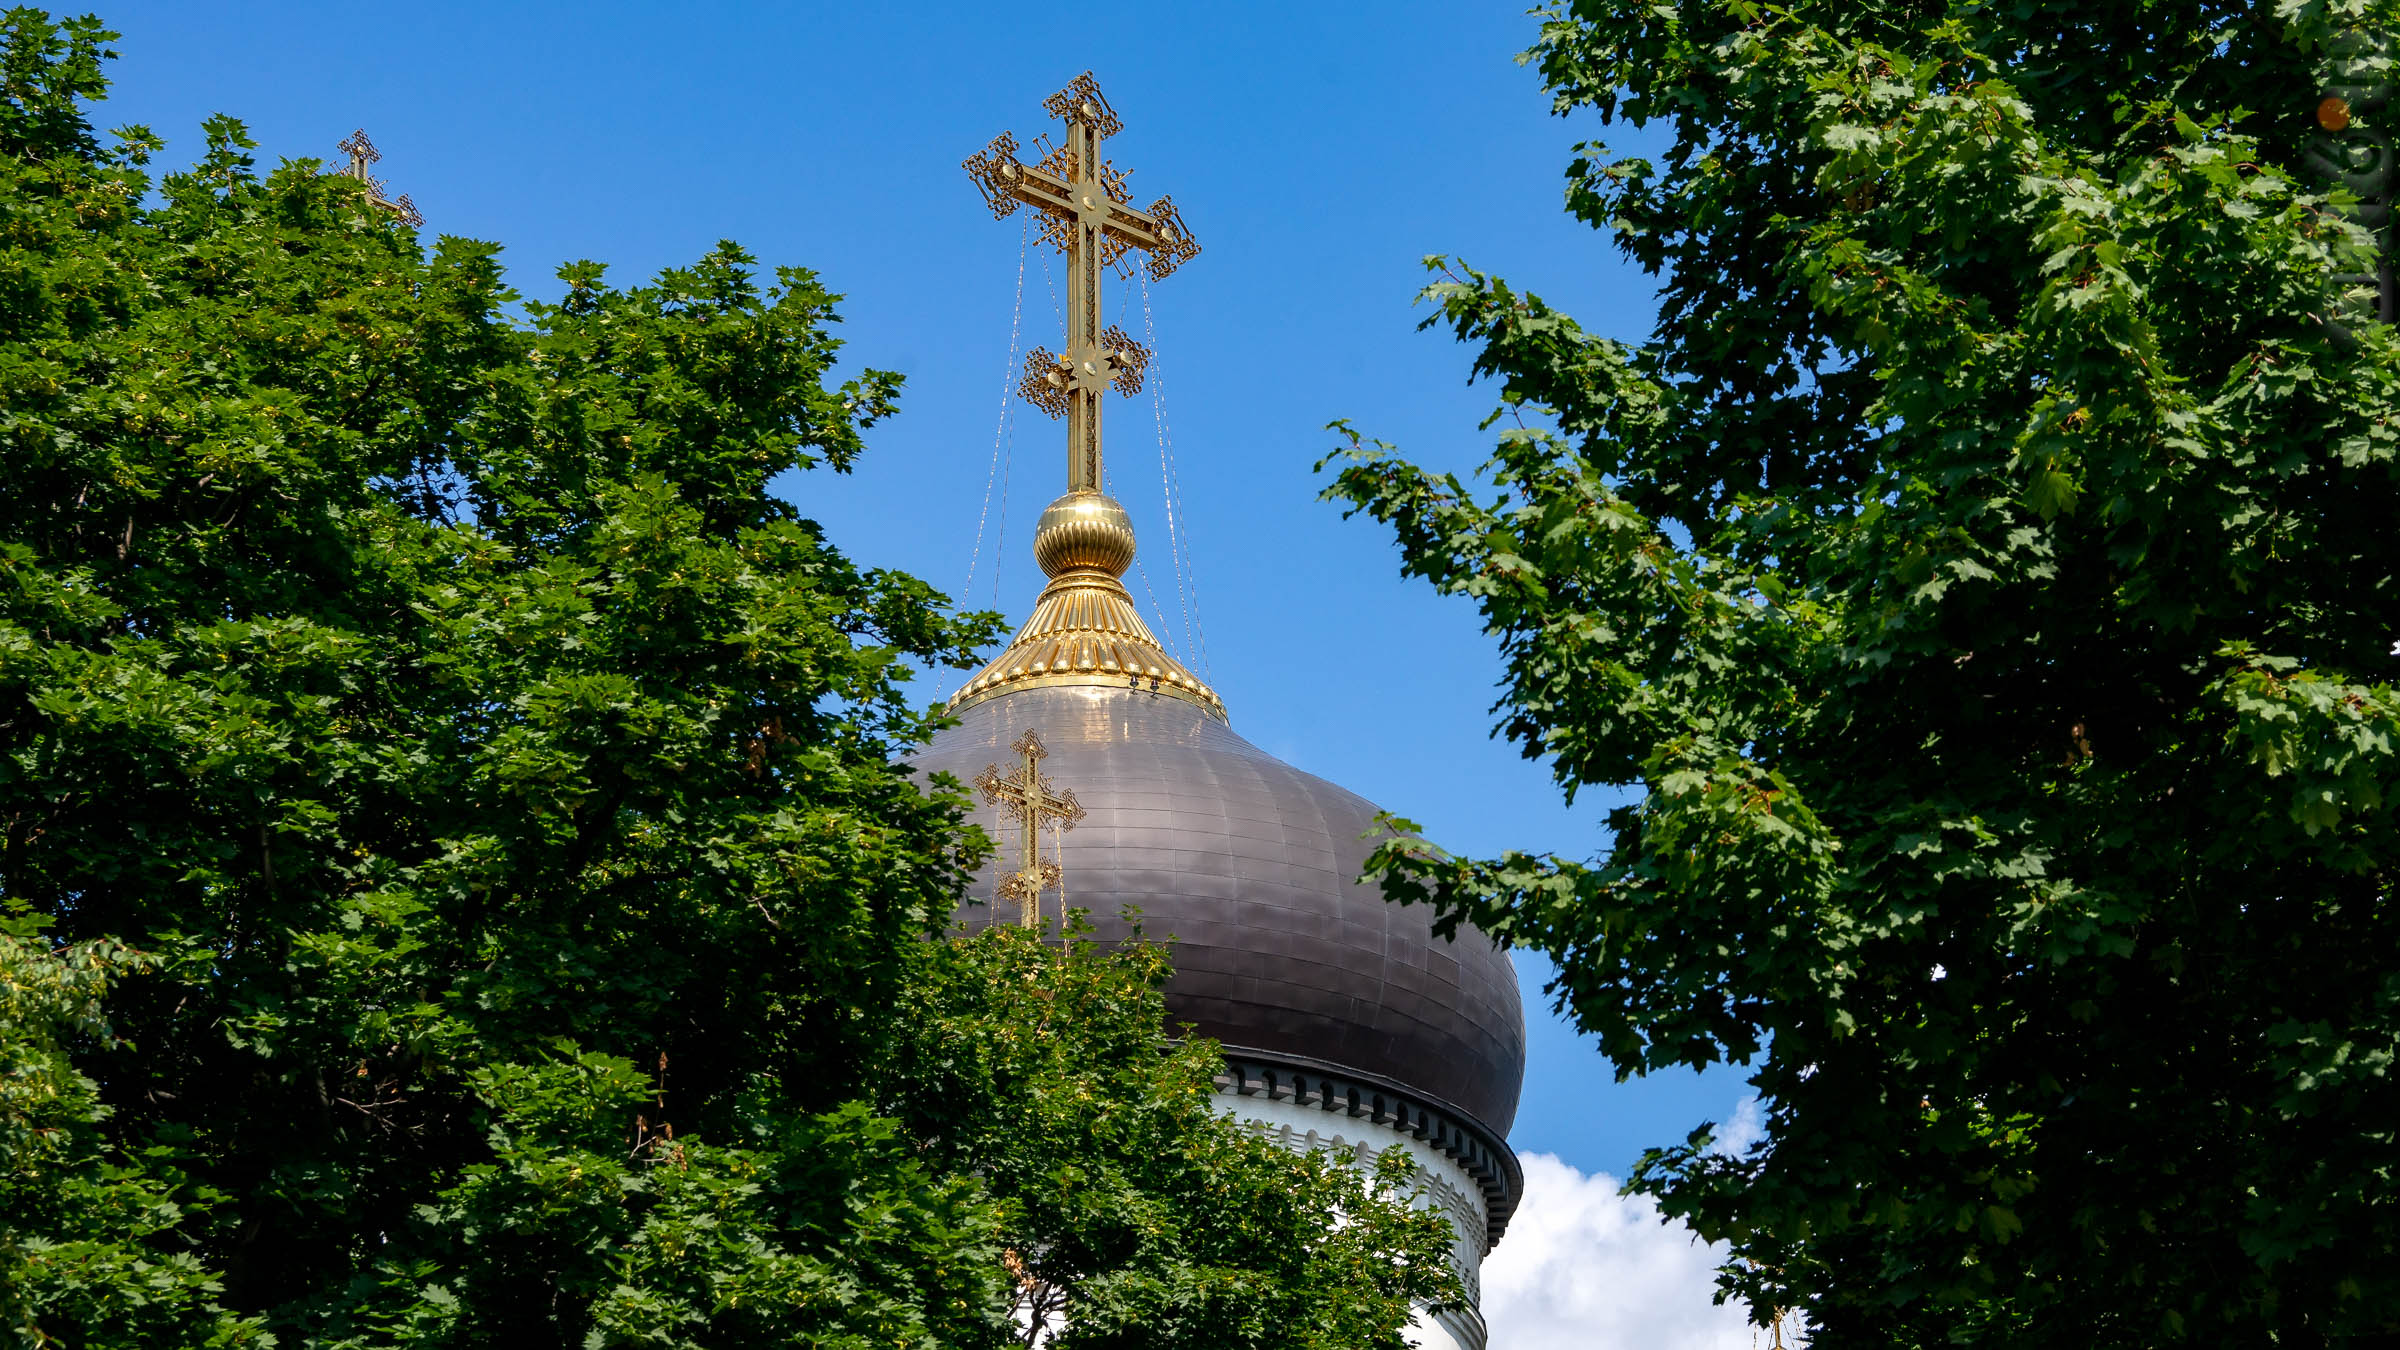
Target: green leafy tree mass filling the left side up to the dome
<point>460,878</point>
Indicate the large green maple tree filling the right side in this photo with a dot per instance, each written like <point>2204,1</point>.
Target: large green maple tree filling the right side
<point>1986,580</point>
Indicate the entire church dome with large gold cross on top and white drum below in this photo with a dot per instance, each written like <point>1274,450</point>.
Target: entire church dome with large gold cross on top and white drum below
<point>1345,1022</point>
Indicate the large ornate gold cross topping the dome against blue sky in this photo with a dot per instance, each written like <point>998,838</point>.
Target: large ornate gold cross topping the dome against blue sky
<point>1088,217</point>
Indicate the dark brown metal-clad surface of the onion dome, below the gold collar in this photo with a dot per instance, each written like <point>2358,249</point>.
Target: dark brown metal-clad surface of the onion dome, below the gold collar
<point>1252,868</point>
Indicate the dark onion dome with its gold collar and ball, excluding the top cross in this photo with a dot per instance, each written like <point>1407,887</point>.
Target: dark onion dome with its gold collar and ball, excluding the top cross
<point>1319,988</point>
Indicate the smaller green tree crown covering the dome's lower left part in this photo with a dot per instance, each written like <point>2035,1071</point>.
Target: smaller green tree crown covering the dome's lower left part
<point>1151,1219</point>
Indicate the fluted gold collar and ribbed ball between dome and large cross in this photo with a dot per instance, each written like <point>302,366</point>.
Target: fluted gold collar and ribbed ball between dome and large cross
<point>1084,628</point>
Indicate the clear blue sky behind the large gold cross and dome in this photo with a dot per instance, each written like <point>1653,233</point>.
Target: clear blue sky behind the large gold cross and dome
<point>1316,153</point>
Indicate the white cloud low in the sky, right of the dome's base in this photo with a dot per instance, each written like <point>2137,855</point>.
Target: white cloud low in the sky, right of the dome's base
<point>1590,1270</point>
